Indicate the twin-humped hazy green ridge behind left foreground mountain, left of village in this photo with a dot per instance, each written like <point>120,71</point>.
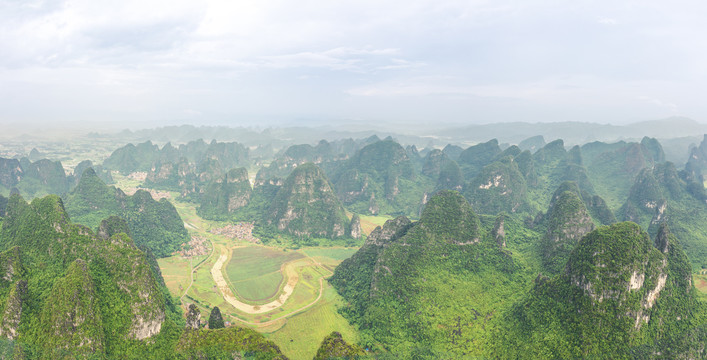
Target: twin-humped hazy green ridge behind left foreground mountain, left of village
<point>153,224</point>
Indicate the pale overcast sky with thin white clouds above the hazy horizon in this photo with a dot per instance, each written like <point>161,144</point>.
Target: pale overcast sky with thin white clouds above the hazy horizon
<point>282,62</point>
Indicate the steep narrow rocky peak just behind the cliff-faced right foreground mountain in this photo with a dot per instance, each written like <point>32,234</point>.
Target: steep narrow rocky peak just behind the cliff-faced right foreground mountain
<point>568,222</point>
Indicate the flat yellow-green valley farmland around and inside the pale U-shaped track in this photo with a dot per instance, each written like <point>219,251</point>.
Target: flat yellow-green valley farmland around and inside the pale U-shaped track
<point>257,275</point>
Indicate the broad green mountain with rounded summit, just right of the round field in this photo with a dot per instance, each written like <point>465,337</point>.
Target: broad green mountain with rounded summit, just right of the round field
<point>424,289</point>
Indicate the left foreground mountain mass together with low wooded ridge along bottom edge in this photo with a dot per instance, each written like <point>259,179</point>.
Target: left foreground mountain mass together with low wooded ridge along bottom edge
<point>68,293</point>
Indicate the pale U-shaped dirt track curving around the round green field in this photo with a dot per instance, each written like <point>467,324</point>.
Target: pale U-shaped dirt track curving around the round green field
<point>292,279</point>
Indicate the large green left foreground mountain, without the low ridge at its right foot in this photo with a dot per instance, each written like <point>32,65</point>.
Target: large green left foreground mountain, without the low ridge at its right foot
<point>80,294</point>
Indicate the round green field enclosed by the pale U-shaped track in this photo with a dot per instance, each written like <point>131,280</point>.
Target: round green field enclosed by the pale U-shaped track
<point>255,272</point>
